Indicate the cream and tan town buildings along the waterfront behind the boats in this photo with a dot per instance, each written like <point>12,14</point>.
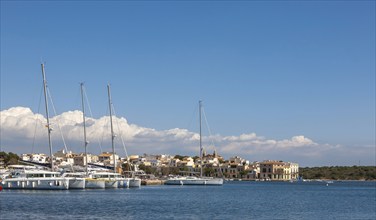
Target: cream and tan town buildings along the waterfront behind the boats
<point>161,166</point>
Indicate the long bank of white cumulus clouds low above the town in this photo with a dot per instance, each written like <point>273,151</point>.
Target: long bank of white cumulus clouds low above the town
<point>21,128</point>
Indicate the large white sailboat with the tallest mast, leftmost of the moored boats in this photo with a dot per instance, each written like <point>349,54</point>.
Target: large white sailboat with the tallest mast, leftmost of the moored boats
<point>37,178</point>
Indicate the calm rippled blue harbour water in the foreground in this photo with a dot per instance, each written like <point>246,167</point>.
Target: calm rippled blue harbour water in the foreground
<point>235,200</point>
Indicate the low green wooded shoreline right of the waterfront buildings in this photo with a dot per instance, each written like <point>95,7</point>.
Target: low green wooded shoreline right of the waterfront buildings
<point>339,173</point>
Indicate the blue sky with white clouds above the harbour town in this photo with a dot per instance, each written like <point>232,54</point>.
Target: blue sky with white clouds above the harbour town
<point>279,80</point>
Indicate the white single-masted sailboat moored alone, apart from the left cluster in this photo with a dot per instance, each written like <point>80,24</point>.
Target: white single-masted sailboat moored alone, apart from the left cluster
<point>191,180</point>
